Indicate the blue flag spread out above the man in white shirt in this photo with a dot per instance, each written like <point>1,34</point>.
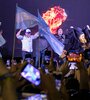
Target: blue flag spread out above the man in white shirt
<point>25,19</point>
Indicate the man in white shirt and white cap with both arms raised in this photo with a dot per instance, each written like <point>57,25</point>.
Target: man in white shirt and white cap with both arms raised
<point>27,41</point>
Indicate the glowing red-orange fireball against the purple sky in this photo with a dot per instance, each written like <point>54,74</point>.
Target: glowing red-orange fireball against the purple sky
<point>54,17</point>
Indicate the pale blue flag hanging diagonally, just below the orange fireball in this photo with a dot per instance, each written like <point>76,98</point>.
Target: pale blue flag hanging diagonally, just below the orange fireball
<point>56,45</point>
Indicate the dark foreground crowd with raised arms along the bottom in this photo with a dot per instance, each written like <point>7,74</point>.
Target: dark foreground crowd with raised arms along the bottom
<point>73,84</point>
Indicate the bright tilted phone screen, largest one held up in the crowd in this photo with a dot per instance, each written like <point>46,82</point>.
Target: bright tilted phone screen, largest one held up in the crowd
<point>31,74</point>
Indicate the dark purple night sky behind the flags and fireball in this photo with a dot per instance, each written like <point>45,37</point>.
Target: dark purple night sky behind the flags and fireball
<point>78,12</point>
